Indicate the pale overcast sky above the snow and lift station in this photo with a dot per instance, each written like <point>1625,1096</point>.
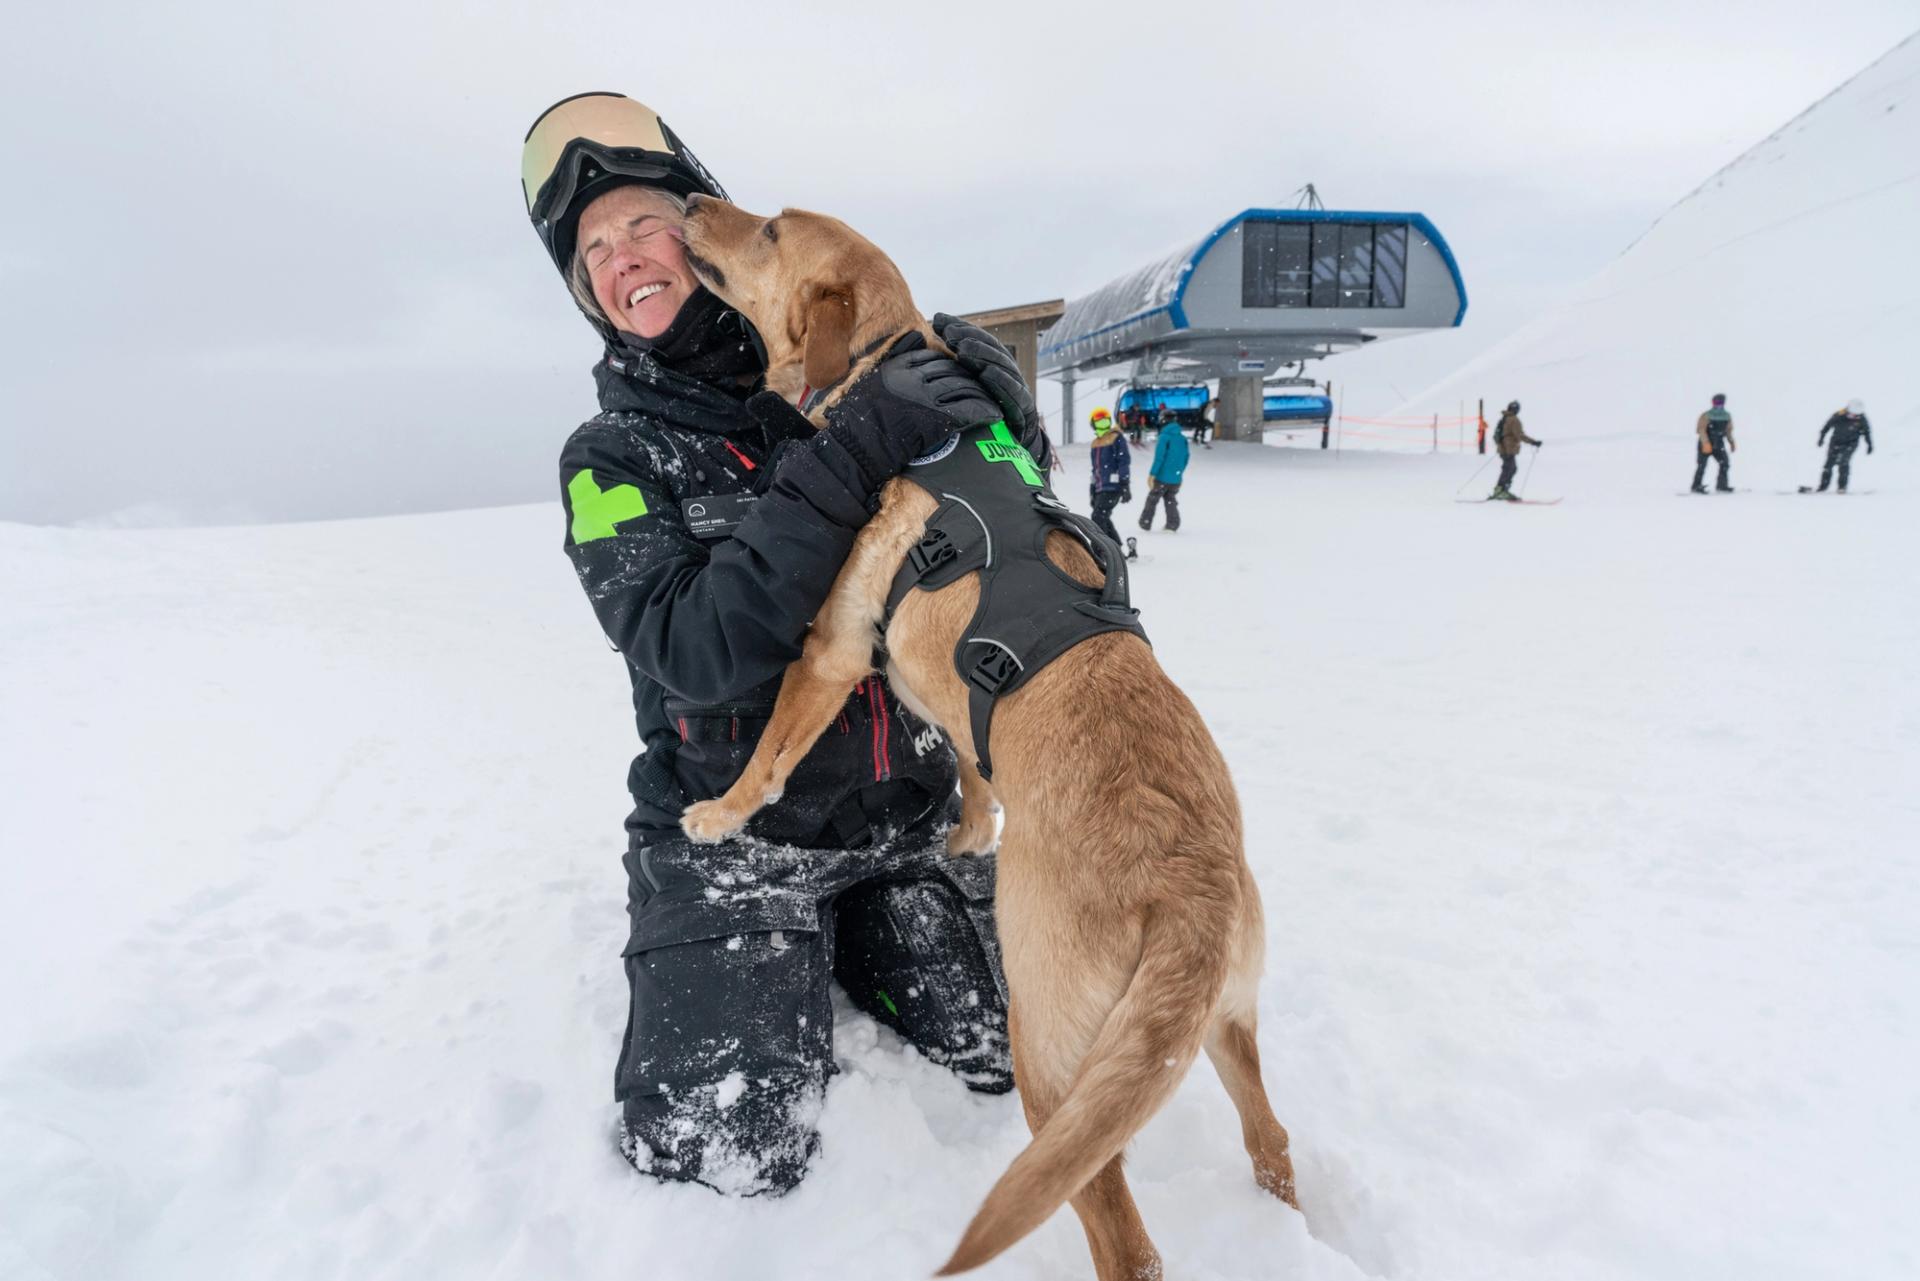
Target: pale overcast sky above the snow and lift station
<point>272,262</point>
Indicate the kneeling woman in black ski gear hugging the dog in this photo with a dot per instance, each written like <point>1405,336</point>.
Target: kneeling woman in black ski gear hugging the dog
<point>708,523</point>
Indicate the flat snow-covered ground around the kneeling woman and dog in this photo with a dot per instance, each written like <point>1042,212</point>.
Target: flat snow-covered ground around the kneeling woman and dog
<point>1585,836</point>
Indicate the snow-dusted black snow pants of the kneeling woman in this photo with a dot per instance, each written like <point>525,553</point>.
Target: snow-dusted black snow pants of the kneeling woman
<point>731,963</point>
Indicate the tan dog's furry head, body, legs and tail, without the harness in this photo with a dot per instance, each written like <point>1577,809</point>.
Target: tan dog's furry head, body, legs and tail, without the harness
<point>1132,932</point>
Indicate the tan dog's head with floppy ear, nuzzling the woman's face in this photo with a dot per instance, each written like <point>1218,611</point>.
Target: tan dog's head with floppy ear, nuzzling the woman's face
<point>815,289</point>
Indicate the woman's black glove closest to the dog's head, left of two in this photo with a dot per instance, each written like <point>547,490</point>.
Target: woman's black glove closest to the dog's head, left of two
<point>905,410</point>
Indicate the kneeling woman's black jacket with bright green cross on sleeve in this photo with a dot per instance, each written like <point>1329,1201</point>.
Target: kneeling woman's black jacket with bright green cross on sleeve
<point>706,550</point>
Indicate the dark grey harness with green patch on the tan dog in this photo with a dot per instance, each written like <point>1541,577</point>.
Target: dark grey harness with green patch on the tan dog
<point>996,512</point>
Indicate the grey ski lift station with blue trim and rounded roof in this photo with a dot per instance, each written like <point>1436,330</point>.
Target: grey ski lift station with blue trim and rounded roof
<point>1255,301</point>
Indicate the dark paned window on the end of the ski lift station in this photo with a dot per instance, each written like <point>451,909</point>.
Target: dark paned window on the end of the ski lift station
<point>1324,264</point>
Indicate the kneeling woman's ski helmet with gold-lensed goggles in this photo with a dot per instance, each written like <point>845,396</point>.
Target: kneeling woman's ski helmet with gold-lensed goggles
<point>588,145</point>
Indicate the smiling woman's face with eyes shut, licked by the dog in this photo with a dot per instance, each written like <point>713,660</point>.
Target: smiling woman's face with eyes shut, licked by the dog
<point>638,266</point>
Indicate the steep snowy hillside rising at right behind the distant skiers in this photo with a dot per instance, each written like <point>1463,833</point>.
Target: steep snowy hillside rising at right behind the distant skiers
<point>1790,281</point>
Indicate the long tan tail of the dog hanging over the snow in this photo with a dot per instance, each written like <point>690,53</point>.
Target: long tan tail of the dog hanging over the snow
<point>1136,1063</point>
